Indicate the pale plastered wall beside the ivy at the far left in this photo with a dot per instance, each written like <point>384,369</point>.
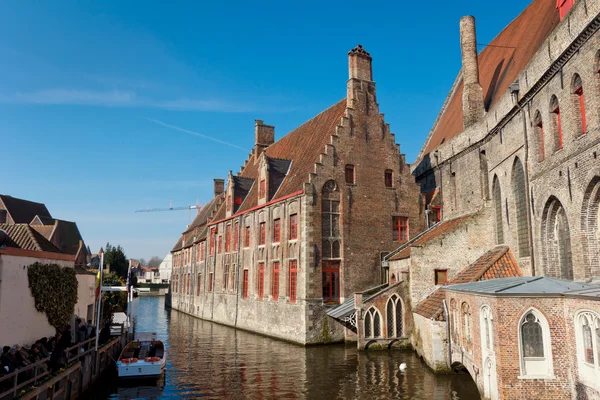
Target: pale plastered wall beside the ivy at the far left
<point>20,322</point>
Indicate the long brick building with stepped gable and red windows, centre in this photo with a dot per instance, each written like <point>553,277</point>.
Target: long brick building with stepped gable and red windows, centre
<point>304,224</point>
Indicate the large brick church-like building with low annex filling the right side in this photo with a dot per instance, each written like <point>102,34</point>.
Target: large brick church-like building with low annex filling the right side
<point>523,119</point>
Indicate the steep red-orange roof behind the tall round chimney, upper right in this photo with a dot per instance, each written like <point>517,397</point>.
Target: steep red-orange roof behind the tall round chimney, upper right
<point>498,67</point>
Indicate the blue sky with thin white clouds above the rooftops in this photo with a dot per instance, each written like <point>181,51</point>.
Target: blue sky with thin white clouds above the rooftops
<point>109,106</point>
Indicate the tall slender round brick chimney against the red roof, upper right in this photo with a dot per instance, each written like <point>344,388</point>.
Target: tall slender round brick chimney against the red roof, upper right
<point>473,108</point>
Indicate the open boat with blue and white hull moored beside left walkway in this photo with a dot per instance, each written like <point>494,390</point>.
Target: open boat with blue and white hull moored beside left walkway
<point>143,358</point>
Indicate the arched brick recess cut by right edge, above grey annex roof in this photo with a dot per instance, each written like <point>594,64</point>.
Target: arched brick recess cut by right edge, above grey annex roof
<point>590,227</point>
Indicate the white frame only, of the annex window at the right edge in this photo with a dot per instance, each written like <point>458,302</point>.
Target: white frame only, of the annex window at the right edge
<point>589,374</point>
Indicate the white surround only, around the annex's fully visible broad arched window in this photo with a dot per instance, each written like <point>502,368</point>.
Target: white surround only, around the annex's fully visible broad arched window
<point>539,367</point>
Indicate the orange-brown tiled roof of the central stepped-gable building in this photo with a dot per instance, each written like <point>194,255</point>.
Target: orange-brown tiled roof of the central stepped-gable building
<point>302,147</point>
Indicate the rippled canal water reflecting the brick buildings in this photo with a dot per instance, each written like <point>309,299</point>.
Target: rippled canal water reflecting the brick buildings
<point>212,361</point>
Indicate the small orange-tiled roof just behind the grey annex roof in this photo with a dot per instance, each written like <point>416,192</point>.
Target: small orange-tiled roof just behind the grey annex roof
<point>497,263</point>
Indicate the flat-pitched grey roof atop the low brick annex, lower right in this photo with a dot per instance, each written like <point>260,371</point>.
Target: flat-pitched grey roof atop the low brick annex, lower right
<point>525,285</point>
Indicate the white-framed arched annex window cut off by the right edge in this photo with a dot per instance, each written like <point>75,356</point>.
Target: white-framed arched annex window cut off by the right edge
<point>587,326</point>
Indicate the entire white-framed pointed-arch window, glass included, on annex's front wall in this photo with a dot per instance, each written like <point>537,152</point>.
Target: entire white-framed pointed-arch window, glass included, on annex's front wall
<point>534,342</point>
